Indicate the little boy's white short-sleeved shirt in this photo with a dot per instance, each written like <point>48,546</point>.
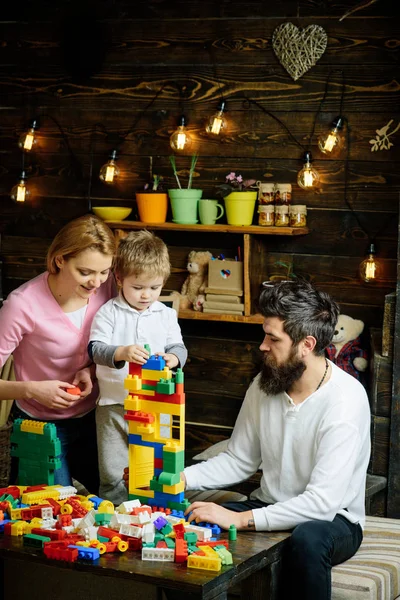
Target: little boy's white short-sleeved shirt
<point>117,323</point>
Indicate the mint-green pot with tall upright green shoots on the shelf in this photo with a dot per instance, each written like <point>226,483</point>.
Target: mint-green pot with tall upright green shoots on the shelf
<point>184,201</point>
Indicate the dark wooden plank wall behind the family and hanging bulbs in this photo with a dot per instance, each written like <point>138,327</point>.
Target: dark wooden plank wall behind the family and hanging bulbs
<point>95,67</point>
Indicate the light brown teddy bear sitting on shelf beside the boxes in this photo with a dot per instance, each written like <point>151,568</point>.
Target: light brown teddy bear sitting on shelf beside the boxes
<point>195,283</point>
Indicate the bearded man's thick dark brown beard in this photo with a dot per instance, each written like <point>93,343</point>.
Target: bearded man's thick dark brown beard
<point>275,378</point>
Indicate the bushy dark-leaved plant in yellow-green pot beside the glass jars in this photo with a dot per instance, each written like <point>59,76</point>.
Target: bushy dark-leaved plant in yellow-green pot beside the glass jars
<point>239,199</point>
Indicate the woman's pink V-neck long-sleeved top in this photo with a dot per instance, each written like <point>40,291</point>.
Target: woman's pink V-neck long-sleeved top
<point>45,343</point>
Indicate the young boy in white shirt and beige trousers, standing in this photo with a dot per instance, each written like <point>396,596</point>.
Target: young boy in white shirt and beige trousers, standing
<point>119,332</point>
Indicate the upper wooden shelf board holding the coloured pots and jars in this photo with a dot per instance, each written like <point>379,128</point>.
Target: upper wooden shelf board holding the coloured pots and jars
<point>212,228</point>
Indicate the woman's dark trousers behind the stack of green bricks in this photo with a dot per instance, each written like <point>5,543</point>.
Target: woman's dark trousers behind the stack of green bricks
<point>78,450</point>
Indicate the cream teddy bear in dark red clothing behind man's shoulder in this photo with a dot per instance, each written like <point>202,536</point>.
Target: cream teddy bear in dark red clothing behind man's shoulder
<point>346,350</point>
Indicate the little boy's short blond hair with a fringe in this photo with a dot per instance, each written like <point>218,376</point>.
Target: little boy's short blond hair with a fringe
<point>142,252</point>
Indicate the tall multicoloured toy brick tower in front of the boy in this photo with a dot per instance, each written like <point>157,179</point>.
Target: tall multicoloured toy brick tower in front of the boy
<point>155,411</point>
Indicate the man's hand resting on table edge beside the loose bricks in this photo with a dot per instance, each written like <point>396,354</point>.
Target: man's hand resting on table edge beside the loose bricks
<point>209,512</point>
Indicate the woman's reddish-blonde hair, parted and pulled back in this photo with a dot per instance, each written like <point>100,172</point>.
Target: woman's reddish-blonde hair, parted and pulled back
<point>85,233</point>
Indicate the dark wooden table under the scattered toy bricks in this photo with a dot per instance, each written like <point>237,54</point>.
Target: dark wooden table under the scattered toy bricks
<point>29,575</point>
